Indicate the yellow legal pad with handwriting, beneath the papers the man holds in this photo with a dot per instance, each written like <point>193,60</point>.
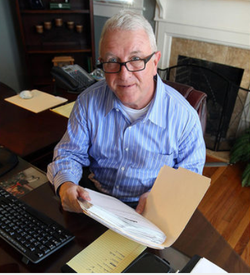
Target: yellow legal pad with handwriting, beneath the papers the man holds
<point>110,253</point>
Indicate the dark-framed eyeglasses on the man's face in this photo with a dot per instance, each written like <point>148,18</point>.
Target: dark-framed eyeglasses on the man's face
<point>131,65</point>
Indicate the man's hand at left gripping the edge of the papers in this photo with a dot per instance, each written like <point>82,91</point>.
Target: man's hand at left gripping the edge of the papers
<point>69,193</point>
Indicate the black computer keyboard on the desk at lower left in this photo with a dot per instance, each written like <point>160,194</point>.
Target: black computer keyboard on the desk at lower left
<point>32,233</point>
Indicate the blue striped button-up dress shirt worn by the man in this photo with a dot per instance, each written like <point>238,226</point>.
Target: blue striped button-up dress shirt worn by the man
<point>126,157</point>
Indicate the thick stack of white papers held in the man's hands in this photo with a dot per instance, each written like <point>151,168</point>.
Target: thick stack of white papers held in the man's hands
<point>121,218</point>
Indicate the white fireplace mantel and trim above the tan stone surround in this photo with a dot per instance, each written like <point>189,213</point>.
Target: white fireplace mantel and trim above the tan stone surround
<point>224,22</point>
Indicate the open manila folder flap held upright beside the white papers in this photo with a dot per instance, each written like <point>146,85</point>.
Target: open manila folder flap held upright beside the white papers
<point>173,199</point>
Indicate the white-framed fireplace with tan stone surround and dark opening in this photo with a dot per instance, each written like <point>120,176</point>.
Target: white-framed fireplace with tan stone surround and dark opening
<point>186,33</point>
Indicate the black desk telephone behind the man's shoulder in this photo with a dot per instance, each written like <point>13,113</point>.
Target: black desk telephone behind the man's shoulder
<point>72,77</point>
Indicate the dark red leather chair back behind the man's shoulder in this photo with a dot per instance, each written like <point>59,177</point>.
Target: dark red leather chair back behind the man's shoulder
<point>196,98</point>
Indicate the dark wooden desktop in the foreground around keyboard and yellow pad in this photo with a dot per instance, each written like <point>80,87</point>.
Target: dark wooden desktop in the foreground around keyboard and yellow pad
<point>199,237</point>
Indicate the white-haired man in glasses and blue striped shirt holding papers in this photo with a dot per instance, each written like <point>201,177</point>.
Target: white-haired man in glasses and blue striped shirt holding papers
<point>125,128</point>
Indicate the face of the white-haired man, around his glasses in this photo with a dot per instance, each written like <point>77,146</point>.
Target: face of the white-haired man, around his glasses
<point>134,89</point>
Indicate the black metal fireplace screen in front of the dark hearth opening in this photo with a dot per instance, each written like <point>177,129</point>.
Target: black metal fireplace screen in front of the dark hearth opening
<point>221,84</point>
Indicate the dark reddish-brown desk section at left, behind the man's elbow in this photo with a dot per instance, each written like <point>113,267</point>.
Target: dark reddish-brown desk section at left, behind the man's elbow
<point>29,135</point>
